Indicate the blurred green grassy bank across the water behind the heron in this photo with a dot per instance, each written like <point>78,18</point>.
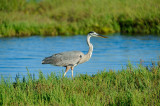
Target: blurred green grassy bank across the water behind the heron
<point>69,17</point>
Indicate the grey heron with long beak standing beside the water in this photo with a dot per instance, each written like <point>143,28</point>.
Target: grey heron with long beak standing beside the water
<point>70,59</point>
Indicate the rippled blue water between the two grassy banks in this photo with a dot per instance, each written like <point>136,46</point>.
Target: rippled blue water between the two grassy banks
<point>17,54</point>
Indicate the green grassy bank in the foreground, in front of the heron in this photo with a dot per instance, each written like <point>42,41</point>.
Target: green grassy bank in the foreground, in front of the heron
<point>131,86</point>
